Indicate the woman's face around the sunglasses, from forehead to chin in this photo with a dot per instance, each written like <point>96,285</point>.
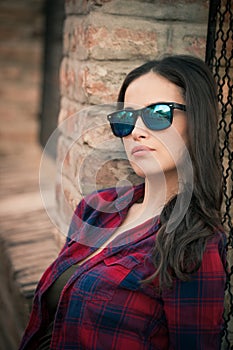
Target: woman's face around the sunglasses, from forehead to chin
<point>150,151</point>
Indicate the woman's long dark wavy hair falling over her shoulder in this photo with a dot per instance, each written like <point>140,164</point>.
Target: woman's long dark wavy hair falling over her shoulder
<point>179,253</point>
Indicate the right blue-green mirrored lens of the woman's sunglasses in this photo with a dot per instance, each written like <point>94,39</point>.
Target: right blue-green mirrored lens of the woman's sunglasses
<point>158,117</point>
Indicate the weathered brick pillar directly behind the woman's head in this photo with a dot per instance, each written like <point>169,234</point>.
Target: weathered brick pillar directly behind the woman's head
<point>103,40</point>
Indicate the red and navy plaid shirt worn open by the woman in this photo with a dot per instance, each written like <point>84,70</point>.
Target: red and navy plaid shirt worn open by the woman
<point>104,306</point>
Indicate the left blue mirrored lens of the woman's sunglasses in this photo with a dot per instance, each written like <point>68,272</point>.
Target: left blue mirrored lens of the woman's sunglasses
<point>122,123</point>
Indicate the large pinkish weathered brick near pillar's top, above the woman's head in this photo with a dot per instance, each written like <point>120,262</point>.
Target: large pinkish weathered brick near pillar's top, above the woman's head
<point>100,37</point>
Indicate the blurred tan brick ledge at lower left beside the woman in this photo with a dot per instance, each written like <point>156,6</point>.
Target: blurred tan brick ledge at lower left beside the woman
<point>28,241</point>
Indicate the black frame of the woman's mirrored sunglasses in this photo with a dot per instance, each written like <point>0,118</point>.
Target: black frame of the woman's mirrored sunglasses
<point>142,113</point>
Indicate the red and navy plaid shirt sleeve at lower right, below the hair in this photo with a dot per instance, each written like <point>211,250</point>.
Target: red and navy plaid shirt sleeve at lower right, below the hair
<point>194,308</point>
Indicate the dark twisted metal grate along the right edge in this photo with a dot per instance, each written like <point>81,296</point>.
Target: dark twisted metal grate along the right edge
<point>219,56</point>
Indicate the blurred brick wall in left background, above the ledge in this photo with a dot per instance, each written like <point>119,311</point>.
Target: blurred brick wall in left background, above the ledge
<point>21,32</point>
